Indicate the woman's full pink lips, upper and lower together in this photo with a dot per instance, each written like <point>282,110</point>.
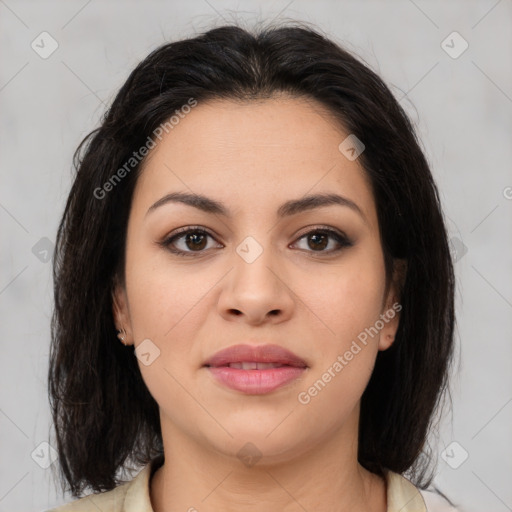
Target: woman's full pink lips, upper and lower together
<point>255,381</point>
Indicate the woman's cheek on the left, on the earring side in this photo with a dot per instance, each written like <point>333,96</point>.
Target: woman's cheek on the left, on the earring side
<point>166,308</point>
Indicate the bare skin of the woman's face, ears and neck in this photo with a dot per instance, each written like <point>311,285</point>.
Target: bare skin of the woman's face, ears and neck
<point>253,157</point>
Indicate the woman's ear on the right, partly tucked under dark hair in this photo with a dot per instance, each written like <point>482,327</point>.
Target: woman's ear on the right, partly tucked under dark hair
<point>390,314</point>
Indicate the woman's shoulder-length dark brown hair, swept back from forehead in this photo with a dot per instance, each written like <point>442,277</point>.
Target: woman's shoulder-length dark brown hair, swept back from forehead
<point>104,416</point>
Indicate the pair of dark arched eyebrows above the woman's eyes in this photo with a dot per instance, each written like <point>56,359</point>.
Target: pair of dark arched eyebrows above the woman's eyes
<point>292,207</point>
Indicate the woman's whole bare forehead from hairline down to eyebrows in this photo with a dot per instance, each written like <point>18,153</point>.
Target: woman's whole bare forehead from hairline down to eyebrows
<point>260,150</point>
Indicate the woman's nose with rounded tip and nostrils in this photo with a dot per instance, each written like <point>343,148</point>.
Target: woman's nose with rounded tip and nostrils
<point>257,291</point>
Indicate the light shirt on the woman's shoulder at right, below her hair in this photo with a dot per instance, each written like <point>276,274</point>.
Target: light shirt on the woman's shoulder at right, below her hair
<point>404,496</point>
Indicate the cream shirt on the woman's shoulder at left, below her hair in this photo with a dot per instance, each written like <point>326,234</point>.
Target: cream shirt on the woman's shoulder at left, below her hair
<point>131,496</point>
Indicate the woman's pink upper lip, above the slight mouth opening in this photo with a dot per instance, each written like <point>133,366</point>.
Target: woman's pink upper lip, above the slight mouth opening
<point>261,357</point>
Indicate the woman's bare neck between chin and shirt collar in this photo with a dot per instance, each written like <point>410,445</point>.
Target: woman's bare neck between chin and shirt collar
<point>326,477</point>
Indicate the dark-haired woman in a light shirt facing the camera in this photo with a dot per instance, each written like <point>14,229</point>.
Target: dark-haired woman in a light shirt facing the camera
<point>256,222</point>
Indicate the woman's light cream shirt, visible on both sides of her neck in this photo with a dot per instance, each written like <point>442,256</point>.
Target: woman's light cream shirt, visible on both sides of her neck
<point>133,496</point>
